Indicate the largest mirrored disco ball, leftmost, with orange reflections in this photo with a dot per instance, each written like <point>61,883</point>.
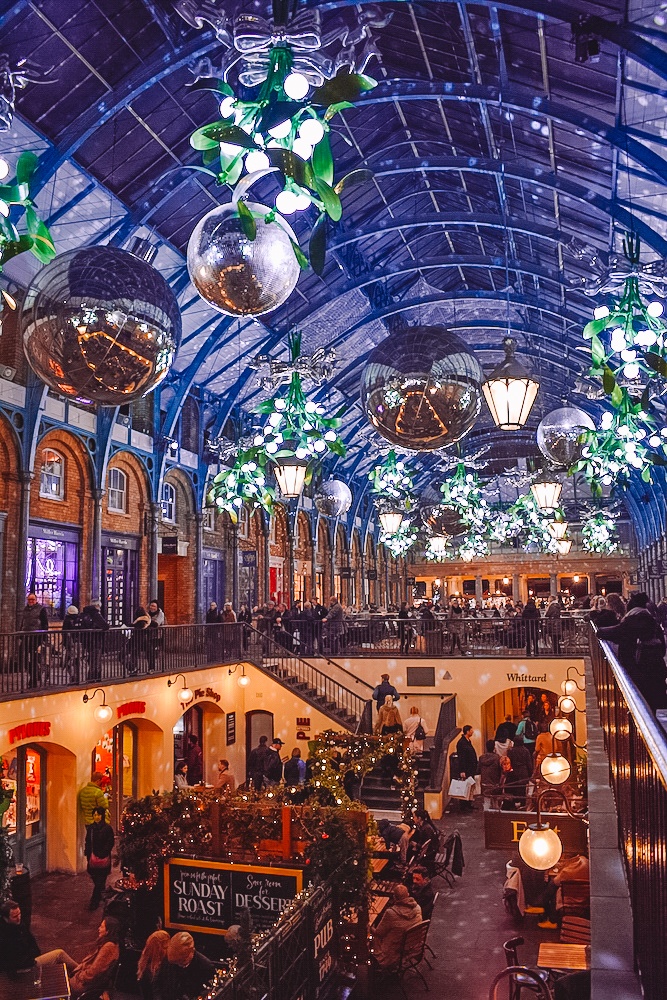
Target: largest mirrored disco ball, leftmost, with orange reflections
<point>100,325</point>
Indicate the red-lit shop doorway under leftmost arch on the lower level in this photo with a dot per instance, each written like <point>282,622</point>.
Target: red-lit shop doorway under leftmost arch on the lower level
<point>25,820</point>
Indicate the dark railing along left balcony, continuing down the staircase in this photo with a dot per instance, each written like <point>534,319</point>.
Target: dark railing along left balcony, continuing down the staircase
<point>34,662</point>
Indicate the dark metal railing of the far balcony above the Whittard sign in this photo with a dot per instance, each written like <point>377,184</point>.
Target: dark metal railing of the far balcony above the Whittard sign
<point>465,636</point>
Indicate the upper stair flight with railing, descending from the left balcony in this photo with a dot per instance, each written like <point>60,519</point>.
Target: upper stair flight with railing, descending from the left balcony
<point>329,697</point>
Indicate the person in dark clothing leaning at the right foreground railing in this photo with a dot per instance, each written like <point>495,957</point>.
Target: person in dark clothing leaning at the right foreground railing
<point>641,650</point>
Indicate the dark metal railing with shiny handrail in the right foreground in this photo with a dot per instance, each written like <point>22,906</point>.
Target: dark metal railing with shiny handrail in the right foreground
<point>637,749</point>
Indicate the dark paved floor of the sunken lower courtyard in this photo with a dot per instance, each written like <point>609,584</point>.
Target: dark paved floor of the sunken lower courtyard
<point>467,932</point>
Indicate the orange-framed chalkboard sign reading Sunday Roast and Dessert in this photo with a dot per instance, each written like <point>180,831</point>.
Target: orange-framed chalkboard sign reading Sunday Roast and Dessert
<point>208,896</point>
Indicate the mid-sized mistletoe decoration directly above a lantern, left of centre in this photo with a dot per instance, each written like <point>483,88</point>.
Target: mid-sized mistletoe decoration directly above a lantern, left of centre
<point>297,426</point>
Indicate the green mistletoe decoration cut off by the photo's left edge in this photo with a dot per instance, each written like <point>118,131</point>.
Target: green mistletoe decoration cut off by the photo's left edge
<point>14,200</point>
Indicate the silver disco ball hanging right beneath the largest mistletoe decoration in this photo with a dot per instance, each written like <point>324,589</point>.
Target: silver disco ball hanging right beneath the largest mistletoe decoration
<point>238,276</point>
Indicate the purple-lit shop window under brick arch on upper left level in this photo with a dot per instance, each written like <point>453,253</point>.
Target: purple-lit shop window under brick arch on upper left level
<point>52,567</point>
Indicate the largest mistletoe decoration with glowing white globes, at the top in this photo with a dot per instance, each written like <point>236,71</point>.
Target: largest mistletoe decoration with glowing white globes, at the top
<point>282,128</point>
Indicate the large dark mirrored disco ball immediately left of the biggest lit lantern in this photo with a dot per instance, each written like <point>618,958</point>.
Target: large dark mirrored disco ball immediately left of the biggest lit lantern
<point>422,388</point>
